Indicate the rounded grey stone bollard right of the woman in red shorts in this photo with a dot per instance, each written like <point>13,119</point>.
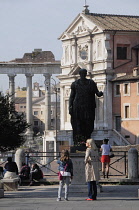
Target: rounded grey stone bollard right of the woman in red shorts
<point>132,163</point>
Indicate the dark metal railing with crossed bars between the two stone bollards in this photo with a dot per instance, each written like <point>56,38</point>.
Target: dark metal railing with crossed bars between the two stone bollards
<point>118,164</point>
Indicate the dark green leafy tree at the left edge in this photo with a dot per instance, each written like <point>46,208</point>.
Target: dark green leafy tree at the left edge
<point>12,126</point>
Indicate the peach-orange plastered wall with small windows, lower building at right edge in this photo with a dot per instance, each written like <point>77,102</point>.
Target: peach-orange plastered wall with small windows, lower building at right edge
<point>129,124</point>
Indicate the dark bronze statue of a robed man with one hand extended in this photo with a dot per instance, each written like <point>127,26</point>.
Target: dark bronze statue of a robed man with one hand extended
<point>82,107</point>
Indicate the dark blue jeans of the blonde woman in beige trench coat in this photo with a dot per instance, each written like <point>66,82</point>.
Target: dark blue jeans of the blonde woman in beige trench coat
<point>92,190</point>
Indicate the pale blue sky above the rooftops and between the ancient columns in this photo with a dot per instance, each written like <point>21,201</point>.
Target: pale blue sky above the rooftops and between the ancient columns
<point>29,24</point>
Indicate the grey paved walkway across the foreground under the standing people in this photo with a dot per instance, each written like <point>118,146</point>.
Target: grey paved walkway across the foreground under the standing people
<point>113,197</point>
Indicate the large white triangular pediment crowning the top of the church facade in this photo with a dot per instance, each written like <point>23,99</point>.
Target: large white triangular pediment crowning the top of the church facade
<point>80,26</point>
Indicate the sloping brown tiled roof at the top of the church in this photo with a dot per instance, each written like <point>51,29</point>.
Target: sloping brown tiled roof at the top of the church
<point>110,22</point>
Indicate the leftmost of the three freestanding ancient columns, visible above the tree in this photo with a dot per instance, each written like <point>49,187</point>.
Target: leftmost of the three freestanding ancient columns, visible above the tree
<point>11,86</point>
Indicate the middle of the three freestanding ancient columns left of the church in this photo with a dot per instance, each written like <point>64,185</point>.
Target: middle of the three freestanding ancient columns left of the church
<point>29,103</point>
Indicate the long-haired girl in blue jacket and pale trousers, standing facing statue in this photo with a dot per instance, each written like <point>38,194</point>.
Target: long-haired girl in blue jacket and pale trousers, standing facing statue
<point>66,170</point>
